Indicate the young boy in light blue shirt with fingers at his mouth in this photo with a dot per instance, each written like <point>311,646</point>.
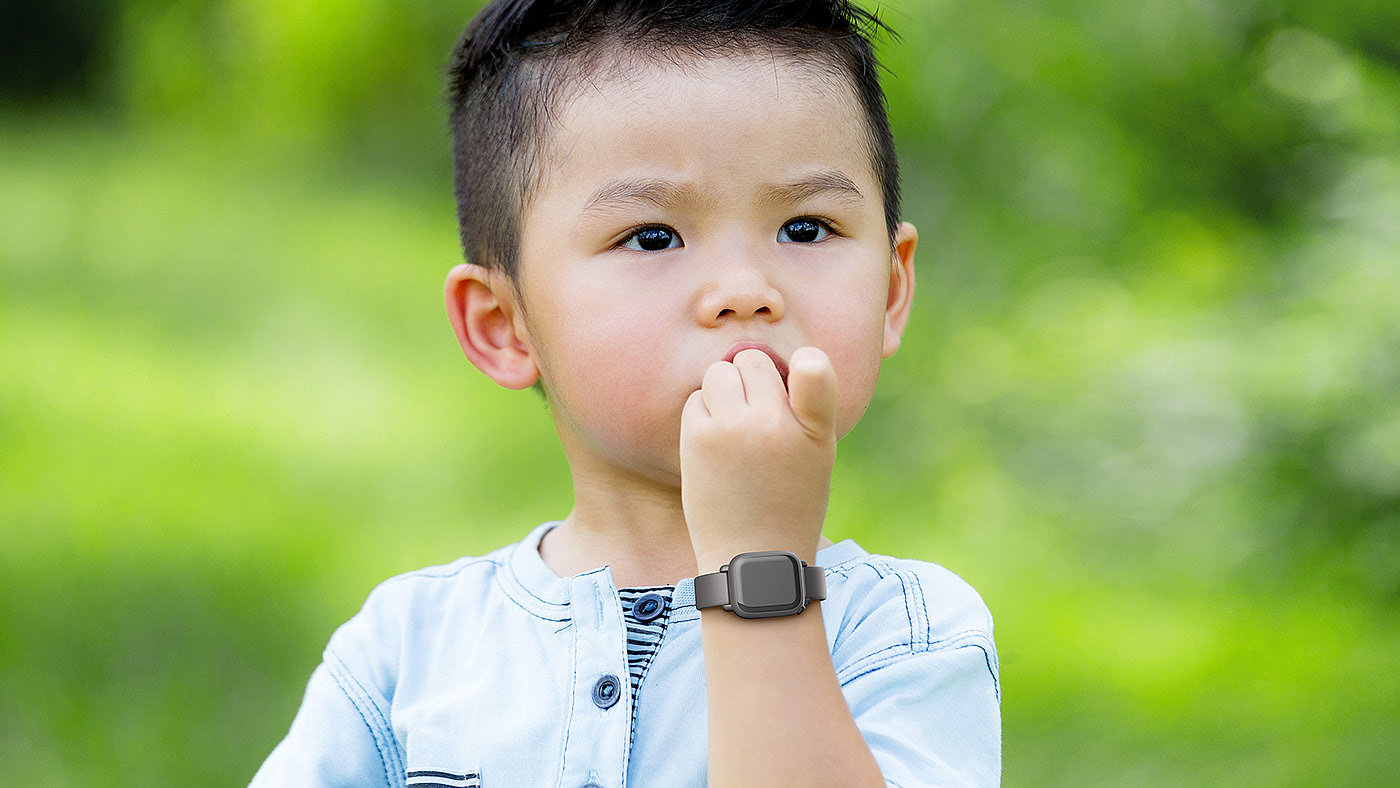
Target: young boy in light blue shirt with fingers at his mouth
<point>682,227</point>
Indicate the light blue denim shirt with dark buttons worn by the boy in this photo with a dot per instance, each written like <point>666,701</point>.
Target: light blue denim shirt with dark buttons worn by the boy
<point>495,673</point>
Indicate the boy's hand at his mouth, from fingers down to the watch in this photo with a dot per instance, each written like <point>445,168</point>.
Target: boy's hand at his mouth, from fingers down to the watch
<point>757,458</point>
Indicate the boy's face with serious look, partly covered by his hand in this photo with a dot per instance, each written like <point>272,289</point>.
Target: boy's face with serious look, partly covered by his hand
<point>624,325</point>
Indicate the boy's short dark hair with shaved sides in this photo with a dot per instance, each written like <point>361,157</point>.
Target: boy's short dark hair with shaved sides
<point>519,61</point>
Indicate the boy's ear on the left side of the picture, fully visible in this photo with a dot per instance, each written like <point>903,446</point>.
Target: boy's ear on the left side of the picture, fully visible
<point>482,309</point>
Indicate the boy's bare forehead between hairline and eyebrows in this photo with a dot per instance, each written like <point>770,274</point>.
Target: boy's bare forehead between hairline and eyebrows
<point>723,122</point>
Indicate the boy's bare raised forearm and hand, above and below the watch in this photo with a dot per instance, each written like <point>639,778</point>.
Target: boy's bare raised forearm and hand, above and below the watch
<point>755,475</point>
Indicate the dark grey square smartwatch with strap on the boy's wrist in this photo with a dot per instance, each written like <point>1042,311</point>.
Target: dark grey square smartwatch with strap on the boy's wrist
<point>762,586</point>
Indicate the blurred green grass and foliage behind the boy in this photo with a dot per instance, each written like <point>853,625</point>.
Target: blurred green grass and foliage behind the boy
<point>1147,404</point>
